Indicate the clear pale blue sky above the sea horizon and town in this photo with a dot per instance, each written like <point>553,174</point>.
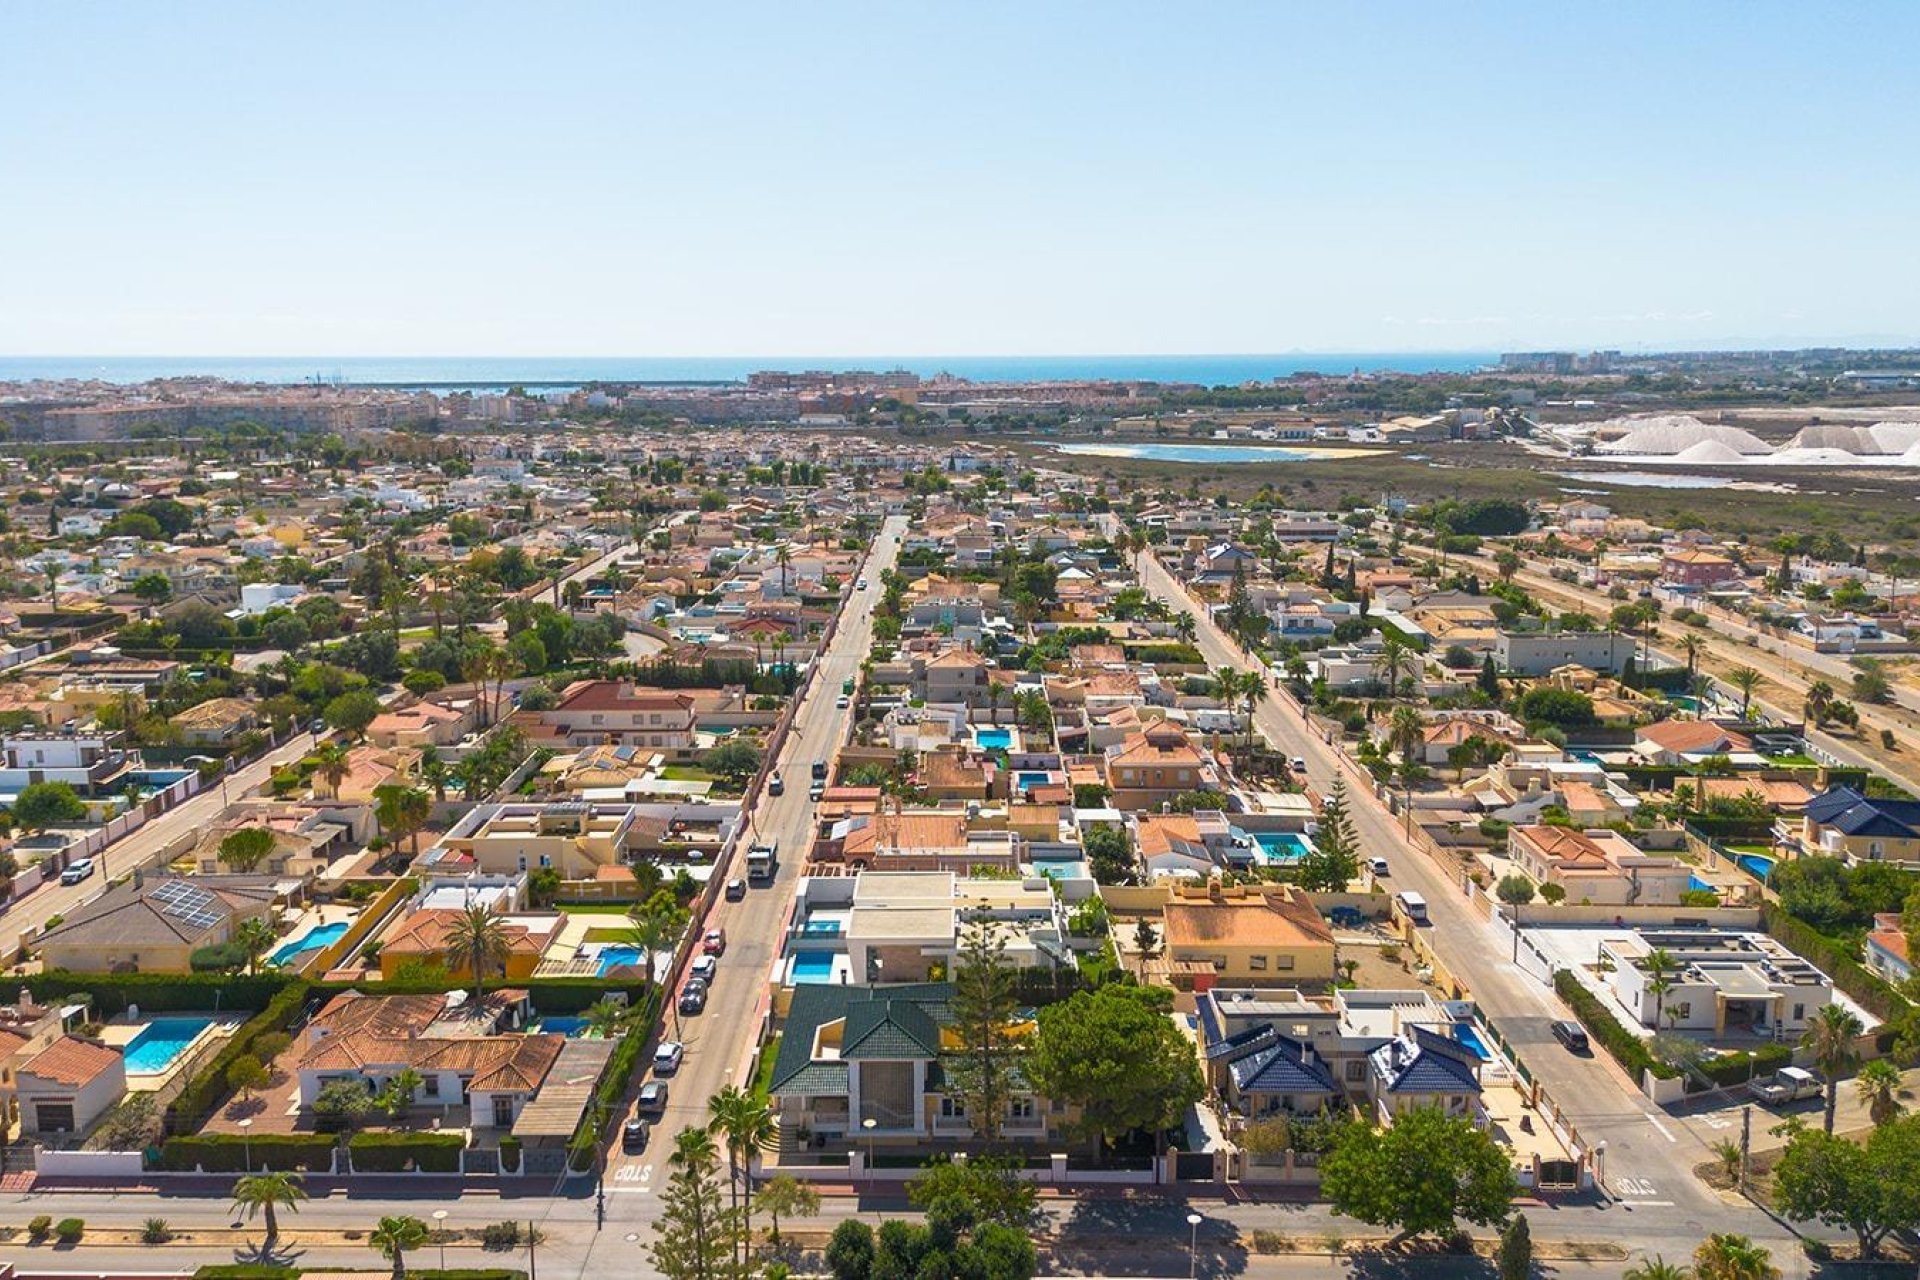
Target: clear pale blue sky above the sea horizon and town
<point>921,179</point>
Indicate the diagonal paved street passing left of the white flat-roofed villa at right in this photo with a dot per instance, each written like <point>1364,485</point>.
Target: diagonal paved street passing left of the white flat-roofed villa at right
<point>1648,1160</point>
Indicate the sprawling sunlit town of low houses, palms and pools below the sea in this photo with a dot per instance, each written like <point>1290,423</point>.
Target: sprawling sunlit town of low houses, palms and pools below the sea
<point>867,824</point>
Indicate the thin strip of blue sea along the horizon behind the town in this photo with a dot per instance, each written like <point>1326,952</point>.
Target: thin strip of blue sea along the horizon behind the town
<point>560,373</point>
